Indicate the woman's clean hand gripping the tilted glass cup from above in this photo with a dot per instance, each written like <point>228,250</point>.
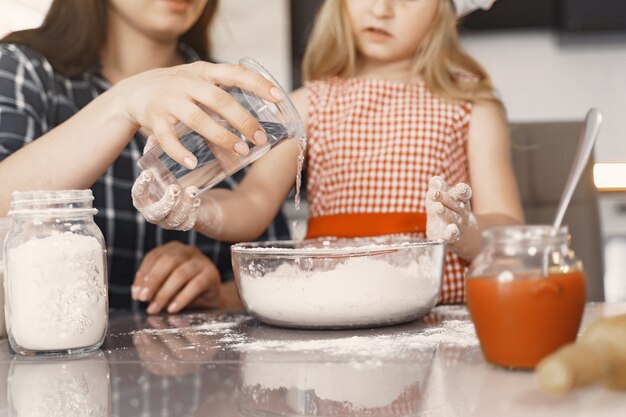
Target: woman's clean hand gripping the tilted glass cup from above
<point>157,100</point>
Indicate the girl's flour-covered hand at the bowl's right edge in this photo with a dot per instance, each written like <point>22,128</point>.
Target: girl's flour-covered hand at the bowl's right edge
<point>449,215</point>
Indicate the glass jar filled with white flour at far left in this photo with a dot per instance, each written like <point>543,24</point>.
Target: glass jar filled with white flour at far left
<point>55,274</point>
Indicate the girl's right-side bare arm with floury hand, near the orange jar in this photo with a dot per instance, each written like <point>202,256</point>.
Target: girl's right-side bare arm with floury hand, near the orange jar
<point>494,195</point>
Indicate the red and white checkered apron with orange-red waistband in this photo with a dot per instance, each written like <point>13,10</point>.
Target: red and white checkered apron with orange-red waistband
<point>372,146</point>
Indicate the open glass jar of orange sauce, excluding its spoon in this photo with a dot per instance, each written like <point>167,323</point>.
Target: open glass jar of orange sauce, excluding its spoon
<point>526,294</point>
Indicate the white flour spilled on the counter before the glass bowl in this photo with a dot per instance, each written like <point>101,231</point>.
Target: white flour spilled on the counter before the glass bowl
<point>233,333</point>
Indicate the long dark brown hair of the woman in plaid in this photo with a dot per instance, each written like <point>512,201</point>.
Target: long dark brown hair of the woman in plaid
<point>74,31</point>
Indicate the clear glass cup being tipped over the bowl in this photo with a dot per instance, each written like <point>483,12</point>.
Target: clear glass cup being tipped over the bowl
<point>280,121</point>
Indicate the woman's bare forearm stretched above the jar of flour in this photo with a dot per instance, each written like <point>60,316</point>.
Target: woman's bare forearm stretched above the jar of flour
<point>74,154</point>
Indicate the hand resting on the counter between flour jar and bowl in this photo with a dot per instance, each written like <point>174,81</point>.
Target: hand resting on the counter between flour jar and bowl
<point>174,276</point>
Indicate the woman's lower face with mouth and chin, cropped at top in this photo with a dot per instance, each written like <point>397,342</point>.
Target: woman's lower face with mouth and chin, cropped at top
<point>159,19</point>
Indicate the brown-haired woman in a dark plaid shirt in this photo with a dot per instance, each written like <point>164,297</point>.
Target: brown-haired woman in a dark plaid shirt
<point>78,97</point>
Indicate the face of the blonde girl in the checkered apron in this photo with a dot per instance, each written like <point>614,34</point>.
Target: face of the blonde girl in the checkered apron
<point>390,30</point>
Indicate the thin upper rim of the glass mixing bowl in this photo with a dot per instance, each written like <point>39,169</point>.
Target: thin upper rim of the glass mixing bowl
<point>268,247</point>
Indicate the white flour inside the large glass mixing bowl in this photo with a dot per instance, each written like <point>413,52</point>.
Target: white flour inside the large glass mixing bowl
<point>360,291</point>
